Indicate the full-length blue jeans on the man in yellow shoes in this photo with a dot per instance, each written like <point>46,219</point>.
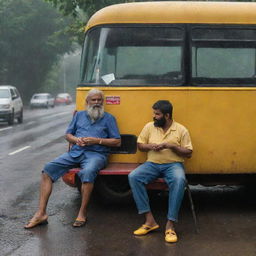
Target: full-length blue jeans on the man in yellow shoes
<point>173,174</point>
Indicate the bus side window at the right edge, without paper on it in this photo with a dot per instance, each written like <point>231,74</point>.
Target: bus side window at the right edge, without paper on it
<point>223,56</point>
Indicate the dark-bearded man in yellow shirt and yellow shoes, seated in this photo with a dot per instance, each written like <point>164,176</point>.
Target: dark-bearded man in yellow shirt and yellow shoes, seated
<point>167,143</point>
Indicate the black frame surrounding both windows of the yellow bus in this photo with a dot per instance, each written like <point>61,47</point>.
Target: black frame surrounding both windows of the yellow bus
<point>186,65</point>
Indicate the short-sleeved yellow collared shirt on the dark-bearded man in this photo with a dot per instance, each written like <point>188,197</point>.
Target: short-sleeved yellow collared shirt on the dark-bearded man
<point>176,134</point>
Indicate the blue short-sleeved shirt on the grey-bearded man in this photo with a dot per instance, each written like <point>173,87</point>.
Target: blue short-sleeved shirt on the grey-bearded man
<point>82,126</point>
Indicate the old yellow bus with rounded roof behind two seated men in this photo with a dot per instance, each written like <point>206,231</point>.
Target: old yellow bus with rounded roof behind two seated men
<point>199,55</point>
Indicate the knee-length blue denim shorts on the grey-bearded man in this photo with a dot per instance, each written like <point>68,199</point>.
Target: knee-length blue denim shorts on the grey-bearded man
<point>90,162</point>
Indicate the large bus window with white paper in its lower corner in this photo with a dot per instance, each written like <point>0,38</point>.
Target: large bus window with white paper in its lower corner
<point>133,56</point>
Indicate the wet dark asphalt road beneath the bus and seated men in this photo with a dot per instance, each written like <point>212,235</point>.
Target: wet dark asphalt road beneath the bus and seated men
<point>226,215</point>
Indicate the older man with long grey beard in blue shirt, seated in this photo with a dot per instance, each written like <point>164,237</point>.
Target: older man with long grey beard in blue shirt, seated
<point>92,132</point>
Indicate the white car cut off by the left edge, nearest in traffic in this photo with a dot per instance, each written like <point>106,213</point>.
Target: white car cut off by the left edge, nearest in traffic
<point>11,105</point>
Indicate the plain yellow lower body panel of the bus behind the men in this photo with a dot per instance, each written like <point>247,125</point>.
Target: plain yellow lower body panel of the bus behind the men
<point>221,122</point>
